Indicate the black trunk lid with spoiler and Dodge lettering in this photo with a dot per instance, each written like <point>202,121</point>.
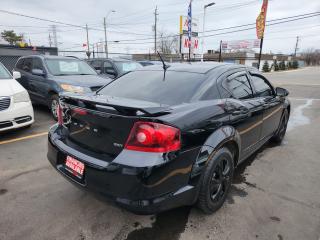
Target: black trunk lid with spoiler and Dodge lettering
<point>102,124</point>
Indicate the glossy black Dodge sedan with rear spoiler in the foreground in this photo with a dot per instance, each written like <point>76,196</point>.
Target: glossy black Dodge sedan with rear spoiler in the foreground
<point>152,141</point>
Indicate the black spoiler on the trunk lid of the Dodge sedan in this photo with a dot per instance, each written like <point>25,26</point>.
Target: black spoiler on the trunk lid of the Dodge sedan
<point>145,110</point>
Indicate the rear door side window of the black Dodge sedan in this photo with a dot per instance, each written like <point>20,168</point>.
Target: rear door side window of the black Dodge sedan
<point>239,86</point>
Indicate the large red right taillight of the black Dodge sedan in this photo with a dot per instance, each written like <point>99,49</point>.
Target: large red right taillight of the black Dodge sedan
<point>153,137</point>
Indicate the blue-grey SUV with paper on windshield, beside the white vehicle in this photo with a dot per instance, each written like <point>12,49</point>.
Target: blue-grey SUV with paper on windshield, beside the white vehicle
<point>45,77</point>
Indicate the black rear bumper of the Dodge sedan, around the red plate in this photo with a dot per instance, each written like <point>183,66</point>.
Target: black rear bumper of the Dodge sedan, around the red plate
<point>143,190</point>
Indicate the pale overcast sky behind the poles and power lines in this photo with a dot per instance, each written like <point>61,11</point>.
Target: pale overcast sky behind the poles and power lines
<point>134,20</point>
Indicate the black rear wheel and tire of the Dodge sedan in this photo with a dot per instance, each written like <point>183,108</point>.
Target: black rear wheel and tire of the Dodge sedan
<point>216,181</point>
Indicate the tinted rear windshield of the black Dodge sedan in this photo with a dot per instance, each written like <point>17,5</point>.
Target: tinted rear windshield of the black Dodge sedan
<point>175,88</point>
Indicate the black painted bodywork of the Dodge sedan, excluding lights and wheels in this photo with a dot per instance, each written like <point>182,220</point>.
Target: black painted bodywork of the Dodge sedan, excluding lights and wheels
<point>153,182</point>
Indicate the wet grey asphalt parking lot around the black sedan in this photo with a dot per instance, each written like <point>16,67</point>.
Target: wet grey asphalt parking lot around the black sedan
<point>275,195</point>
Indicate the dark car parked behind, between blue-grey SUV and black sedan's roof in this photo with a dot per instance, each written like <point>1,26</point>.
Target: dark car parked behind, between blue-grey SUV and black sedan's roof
<point>113,68</point>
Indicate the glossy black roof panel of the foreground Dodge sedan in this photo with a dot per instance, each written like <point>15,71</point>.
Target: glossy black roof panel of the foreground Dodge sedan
<point>201,68</point>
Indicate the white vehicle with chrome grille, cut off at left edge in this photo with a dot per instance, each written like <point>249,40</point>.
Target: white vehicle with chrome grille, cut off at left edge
<point>15,106</point>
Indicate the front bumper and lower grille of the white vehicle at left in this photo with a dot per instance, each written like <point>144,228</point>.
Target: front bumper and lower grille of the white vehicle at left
<point>16,116</point>
